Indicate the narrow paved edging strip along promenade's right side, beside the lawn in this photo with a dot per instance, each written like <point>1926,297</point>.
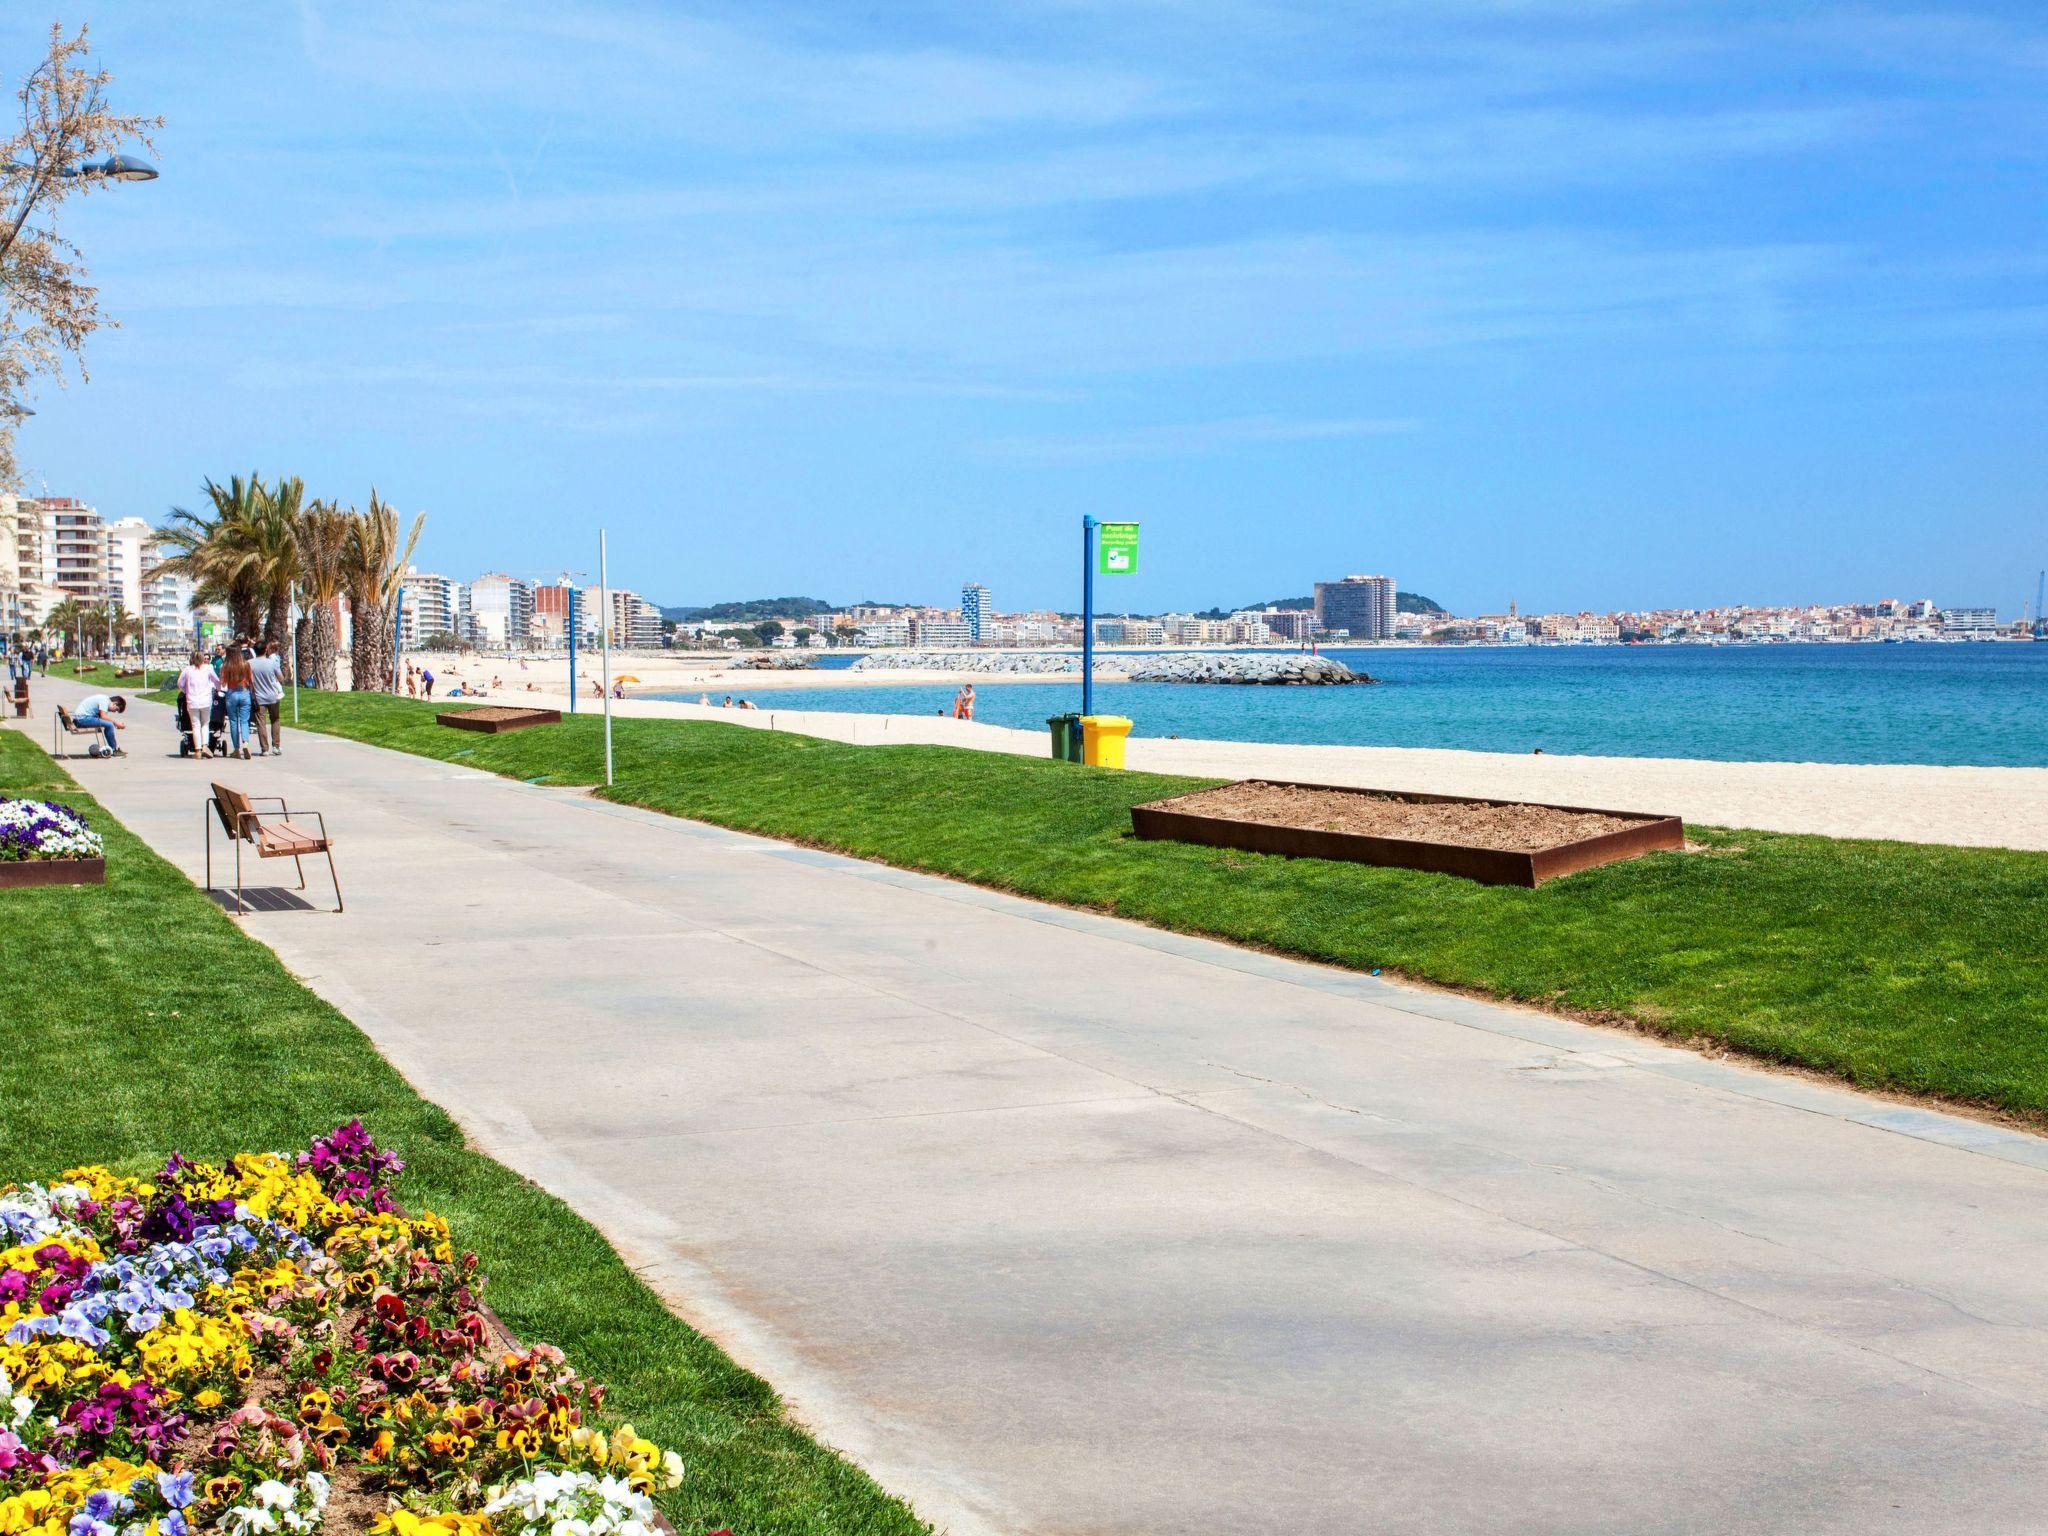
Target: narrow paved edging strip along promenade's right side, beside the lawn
<point>1500,1019</point>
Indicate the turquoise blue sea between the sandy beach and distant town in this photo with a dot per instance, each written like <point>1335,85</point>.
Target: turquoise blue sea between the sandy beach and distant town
<point>1805,703</point>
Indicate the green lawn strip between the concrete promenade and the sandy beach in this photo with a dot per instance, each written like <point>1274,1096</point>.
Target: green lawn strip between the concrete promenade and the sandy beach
<point>1893,966</point>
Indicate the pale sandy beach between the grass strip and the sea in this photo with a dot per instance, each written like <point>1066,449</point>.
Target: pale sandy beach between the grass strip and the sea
<point>1973,808</point>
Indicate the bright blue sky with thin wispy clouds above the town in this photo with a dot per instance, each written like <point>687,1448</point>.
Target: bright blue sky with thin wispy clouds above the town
<point>1580,302</point>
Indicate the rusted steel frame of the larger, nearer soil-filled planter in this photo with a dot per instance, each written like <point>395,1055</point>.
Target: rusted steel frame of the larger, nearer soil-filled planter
<point>1486,865</point>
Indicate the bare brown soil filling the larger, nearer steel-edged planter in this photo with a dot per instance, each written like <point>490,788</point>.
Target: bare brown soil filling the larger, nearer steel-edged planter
<point>1504,826</point>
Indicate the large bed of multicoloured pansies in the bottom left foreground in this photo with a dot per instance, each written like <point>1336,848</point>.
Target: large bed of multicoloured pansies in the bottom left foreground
<point>273,1347</point>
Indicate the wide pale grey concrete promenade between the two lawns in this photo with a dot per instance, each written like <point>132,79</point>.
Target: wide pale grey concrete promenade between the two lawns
<point>1066,1226</point>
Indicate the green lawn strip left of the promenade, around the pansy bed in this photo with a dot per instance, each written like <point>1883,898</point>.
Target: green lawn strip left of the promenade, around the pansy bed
<point>136,1019</point>
